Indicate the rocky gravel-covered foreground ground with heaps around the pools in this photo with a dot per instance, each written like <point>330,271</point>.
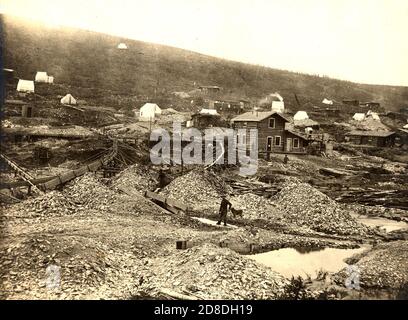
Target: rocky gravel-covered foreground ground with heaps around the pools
<point>110,244</point>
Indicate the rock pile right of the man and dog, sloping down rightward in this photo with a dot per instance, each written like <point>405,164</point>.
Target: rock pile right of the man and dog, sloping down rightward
<point>301,204</point>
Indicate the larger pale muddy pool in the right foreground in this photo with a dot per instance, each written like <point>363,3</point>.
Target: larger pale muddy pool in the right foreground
<point>291,262</point>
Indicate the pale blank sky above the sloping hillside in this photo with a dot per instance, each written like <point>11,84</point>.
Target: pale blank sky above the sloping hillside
<point>357,40</point>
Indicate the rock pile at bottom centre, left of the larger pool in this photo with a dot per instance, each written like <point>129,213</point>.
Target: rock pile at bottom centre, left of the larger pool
<point>210,272</point>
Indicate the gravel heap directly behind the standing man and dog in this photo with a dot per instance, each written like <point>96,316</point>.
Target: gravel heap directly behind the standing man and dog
<point>199,189</point>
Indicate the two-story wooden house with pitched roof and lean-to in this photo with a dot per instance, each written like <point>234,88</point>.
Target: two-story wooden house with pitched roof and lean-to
<point>273,136</point>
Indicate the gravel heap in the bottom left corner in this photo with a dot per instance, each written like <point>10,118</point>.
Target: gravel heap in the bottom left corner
<point>84,266</point>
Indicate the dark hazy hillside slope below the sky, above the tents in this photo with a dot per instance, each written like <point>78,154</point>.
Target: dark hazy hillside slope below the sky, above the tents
<point>88,59</point>
